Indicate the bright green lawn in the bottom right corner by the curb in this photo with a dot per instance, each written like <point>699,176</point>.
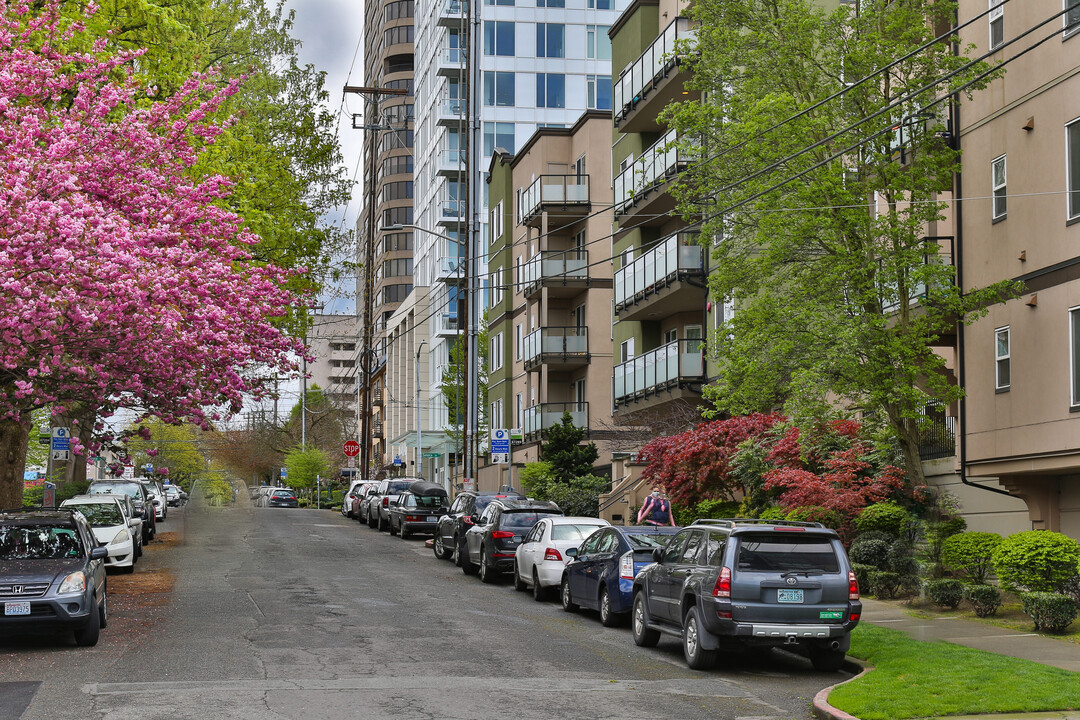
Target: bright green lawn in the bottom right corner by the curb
<point>914,680</point>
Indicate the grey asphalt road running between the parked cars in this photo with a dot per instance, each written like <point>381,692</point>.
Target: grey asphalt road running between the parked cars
<point>300,614</point>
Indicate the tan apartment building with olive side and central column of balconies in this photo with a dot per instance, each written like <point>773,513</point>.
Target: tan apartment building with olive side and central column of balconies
<point>550,324</point>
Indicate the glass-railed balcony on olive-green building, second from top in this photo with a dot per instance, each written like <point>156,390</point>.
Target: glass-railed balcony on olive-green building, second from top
<point>639,191</point>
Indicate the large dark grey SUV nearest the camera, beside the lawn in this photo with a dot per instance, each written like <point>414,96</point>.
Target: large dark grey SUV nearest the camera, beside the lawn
<point>746,582</point>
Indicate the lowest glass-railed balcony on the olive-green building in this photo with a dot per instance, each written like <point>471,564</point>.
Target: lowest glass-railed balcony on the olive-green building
<point>678,366</point>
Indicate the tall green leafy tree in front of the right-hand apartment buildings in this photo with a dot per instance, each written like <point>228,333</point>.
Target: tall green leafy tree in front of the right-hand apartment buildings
<point>819,213</point>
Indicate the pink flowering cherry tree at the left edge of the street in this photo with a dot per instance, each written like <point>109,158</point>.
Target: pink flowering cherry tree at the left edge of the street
<point>124,283</point>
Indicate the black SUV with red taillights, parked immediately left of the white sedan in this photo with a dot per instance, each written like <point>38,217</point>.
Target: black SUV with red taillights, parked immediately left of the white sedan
<point>492,542</point>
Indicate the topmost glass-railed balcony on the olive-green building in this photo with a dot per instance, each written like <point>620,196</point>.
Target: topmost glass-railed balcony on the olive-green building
<point>655,79</point>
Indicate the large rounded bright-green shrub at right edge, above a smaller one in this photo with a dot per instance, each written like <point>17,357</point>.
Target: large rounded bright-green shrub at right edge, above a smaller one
<point>1036,561</point>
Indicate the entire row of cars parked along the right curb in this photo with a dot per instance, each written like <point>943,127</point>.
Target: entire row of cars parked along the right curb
<point>715,585</point>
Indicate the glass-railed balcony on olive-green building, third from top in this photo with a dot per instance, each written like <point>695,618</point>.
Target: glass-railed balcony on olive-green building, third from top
<point>668,280</point>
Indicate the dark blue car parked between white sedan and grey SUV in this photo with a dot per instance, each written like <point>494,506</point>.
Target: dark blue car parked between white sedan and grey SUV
<point>601,573</point>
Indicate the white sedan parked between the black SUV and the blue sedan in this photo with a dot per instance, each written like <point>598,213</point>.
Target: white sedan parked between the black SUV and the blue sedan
<point>541,559</point>
